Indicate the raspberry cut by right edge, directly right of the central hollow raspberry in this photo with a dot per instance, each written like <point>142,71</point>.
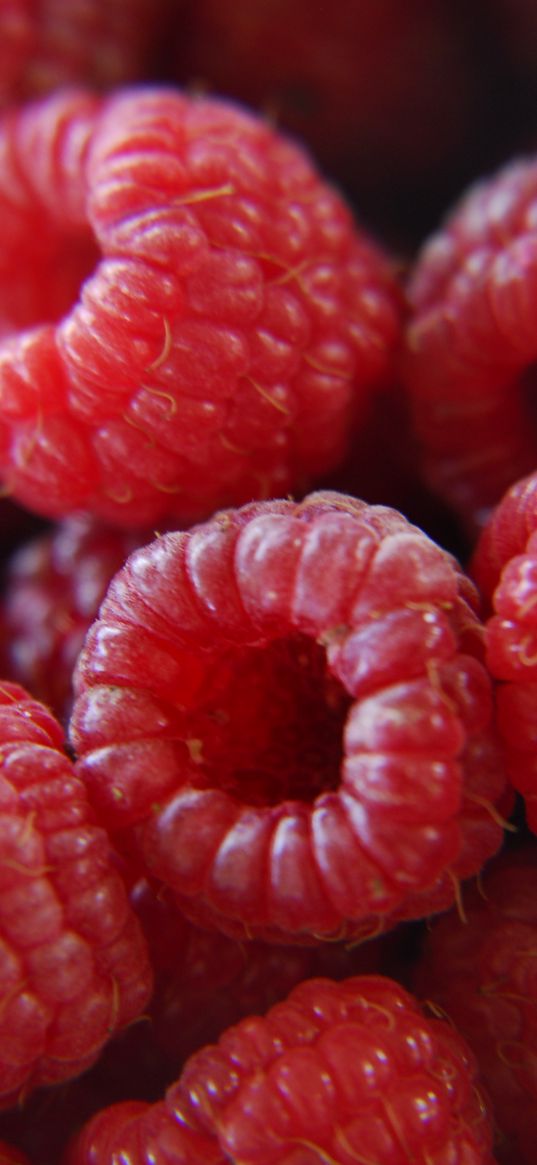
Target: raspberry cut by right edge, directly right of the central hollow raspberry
<point>505,566</point>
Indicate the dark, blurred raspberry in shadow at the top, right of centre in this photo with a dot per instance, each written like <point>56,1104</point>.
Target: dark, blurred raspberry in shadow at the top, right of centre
<point>357,82</point>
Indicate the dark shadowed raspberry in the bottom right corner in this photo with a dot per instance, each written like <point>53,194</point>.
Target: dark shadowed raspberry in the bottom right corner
<point>483,973</point>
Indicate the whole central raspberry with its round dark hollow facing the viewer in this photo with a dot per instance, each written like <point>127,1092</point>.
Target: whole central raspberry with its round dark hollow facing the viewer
<point>282,715</point>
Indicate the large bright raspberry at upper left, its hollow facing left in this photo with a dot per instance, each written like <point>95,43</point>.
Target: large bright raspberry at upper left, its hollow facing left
<point>194,317</point>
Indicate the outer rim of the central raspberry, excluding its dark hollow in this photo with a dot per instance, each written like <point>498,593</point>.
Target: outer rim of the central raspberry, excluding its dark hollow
<point>260,582</point>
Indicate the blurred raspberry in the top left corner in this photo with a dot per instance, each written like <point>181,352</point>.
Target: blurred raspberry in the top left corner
<point>51,44</point>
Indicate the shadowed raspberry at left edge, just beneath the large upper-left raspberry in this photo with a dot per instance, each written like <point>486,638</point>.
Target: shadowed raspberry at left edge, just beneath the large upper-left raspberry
<point>53,590</point>
